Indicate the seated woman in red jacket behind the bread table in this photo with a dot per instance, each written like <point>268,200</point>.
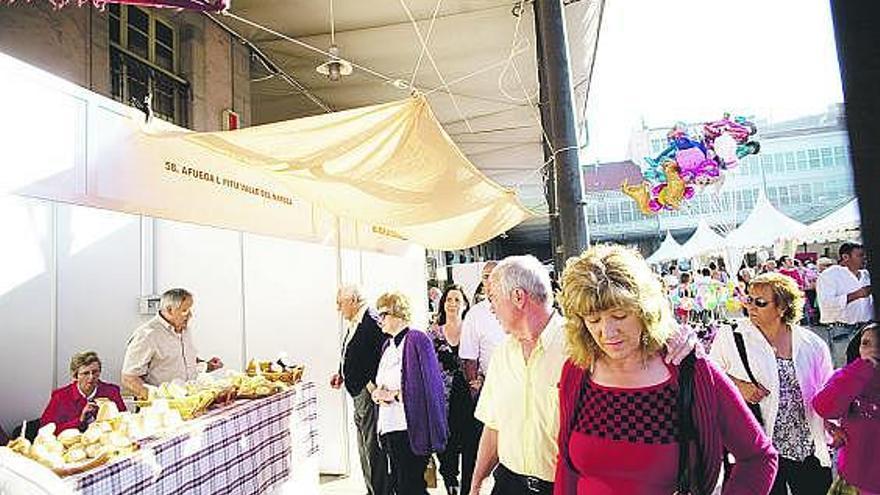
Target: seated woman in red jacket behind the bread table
<point>75,405</point>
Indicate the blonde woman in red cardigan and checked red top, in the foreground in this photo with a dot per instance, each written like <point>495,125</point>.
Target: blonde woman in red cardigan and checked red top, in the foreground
<point>622,407</point>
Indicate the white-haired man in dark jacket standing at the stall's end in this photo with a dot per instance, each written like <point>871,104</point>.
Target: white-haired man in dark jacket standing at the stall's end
<point>359,360</point>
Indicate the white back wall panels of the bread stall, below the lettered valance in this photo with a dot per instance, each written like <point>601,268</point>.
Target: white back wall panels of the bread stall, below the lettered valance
<point>71,277</point>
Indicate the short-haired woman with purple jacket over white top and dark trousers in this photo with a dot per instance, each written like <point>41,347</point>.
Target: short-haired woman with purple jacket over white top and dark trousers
<point>409,392</point>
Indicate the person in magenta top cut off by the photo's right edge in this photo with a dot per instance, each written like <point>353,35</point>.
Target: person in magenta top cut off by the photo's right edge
<point>852,395</point>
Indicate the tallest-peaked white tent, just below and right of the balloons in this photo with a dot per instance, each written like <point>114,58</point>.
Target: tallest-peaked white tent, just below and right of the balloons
<point>764,226</point>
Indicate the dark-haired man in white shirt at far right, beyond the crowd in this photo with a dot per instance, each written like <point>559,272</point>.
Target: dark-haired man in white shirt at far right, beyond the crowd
<point>844,293</point>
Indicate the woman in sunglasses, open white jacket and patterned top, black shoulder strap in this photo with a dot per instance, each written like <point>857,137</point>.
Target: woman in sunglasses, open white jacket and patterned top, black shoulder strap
<point>785,366</point>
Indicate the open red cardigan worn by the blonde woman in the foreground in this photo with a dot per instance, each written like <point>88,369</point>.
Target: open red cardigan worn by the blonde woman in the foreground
<point>722,420</point>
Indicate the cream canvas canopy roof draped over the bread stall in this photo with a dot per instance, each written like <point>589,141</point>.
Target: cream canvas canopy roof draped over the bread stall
<point>390,165</point>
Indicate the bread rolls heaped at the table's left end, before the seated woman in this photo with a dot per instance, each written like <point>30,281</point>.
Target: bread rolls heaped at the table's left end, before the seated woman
<point>71,451</point>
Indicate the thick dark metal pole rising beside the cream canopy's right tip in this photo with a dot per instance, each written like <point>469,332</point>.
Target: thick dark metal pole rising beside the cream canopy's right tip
<point>550,25</point>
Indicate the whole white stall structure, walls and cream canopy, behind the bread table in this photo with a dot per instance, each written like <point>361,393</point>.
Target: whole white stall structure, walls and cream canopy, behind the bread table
<point>107,211</point>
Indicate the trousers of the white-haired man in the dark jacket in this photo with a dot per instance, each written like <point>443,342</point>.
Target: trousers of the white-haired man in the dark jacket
<point>373,460</point>
